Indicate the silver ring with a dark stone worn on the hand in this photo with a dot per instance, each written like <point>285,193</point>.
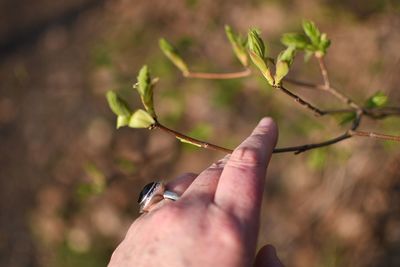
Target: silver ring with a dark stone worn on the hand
<point>153,193</point>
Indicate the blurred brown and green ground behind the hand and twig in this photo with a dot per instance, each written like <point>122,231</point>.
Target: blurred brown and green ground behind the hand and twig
<point>69,180</point>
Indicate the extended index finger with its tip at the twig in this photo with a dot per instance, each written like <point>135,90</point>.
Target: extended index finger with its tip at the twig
<point>241,183</point>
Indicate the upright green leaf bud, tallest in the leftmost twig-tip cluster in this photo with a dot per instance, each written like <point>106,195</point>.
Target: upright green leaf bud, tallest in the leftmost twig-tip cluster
<point>145,89</point>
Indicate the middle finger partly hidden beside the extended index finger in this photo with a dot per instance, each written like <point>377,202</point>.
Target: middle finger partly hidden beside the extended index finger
<point>205,184</point>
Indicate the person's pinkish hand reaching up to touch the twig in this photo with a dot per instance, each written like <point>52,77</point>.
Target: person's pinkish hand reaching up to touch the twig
<point>215,222</point>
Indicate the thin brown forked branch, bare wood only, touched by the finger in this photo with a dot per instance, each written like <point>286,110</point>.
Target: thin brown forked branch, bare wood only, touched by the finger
<point>375,113</point>
